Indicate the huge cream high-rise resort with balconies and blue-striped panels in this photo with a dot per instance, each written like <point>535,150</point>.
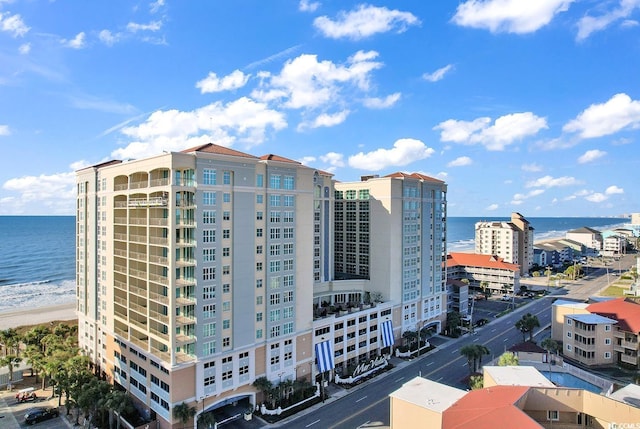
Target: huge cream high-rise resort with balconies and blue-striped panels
<point>200,271</point>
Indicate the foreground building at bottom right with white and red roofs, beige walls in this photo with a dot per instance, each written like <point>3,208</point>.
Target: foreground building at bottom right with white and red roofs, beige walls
<point>519,399</point>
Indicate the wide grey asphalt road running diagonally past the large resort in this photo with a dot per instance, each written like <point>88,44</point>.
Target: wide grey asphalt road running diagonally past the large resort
<point>367,406</point>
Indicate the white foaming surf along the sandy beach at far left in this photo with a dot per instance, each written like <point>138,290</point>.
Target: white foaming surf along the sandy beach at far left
<point>36,294</point>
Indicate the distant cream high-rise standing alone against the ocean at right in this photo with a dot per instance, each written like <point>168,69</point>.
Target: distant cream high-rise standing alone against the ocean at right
<point>512,240</point>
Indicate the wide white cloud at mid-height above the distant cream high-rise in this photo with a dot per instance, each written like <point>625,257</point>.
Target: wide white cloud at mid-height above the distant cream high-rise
<point>506,130</point>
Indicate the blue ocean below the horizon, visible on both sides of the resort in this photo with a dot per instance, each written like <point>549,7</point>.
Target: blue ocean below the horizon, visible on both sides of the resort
<point>37,253</point>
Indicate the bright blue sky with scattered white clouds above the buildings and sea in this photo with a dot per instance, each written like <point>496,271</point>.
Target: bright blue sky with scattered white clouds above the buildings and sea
<point>528,106</point>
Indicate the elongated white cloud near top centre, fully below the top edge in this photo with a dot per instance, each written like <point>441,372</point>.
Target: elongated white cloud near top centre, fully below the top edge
<point>365,21</point>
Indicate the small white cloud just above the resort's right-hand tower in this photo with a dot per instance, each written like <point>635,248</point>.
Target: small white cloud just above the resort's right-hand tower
<point>404,152</point>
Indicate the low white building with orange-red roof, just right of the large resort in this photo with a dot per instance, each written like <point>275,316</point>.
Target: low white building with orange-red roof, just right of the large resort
<point>484,272</point>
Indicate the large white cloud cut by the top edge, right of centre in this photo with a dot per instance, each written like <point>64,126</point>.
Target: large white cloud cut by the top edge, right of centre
<point>510,16</point>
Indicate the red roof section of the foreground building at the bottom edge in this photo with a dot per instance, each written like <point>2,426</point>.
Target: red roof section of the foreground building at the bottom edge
<point>490,408</point>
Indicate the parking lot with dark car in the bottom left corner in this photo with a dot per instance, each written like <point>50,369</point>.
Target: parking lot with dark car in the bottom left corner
<point>12,412</point>
